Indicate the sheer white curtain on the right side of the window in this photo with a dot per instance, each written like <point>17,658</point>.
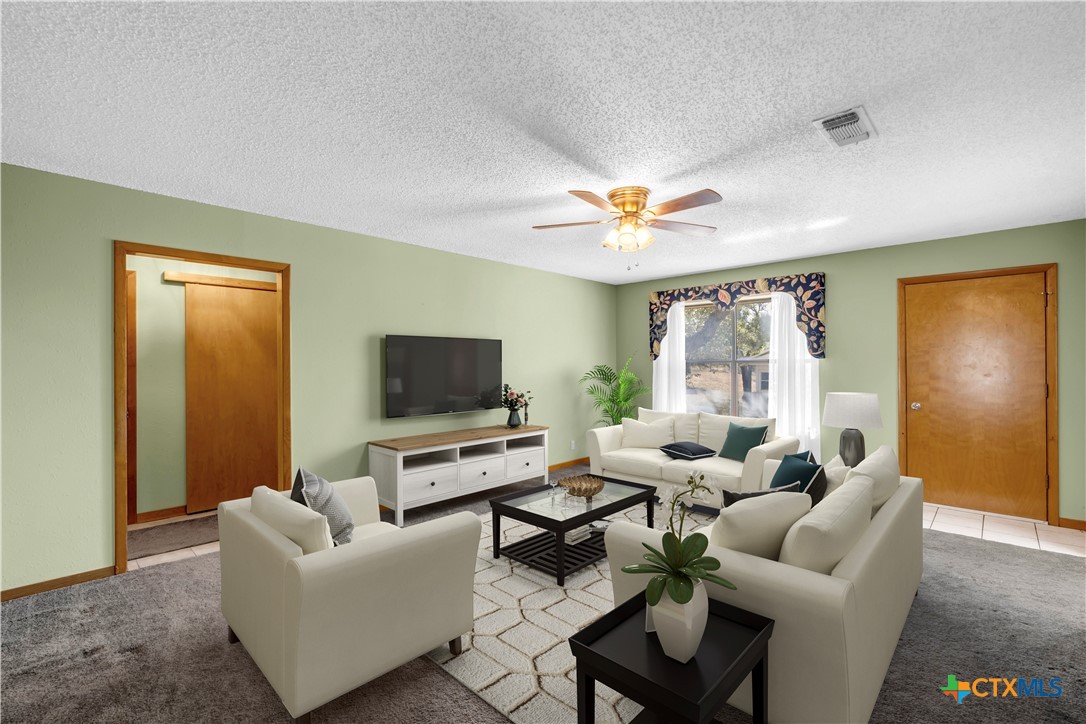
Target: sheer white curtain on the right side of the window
<point>793,377</point>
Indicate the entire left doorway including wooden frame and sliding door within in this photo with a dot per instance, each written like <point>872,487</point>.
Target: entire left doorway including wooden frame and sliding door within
<point>223,420</point>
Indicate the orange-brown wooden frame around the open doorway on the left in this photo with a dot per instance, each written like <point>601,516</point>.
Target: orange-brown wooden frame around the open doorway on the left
<point>122,250</point>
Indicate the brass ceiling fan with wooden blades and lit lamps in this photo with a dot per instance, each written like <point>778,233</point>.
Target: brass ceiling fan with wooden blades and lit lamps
<point>627,205</point>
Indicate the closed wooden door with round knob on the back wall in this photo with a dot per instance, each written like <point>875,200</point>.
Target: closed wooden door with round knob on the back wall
<point>976,393</point>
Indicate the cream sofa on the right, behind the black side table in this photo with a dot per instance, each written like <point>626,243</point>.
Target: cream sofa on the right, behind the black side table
<point>835,633</point>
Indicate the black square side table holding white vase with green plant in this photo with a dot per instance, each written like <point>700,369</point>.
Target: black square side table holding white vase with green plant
<point>617,652</point>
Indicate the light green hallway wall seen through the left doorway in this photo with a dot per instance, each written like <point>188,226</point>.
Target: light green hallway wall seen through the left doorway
<point>160,379</point>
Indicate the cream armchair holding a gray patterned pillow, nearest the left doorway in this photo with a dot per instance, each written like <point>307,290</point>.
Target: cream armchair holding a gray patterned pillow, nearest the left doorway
<point>322,625</point>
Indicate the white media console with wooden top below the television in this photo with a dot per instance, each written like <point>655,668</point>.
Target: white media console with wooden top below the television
<point>423,469</point>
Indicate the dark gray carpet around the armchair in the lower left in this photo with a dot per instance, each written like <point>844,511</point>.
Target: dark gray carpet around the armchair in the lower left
<point>150,646</point>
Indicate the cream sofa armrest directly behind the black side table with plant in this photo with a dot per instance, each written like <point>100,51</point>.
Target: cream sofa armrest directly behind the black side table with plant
<point>814,628</point>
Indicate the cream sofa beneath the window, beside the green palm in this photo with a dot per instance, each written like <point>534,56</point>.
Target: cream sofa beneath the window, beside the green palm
<point>609,458</point>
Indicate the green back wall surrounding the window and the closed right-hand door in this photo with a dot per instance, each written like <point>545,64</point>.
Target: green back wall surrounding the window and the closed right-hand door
<point>862,324</point>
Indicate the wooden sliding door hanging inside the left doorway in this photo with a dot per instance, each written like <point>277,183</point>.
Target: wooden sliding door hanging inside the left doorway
<point>232,393</point>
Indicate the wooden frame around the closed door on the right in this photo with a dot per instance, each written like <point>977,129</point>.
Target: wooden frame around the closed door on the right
<point>1052,378</point>
